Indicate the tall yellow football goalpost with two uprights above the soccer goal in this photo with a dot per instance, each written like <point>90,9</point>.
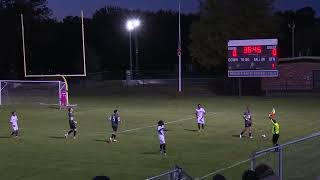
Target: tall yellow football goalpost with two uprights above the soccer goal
<point>63,76</point>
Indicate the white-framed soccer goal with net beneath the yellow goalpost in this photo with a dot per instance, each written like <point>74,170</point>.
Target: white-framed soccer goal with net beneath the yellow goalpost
<point>31,92</point>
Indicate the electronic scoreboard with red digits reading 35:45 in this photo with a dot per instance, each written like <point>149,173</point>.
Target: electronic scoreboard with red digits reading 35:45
<point>253,58</point>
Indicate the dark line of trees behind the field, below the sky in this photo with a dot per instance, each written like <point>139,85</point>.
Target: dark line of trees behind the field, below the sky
<point>55,46</point>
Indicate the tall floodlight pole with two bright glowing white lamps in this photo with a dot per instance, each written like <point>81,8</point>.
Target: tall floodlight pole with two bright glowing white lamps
<point>132,25</point>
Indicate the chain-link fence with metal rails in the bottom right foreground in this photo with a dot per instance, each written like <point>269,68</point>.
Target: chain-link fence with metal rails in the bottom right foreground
<point>294,160</point>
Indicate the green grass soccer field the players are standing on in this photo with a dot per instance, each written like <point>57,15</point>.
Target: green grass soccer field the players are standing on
<point>42,152</point>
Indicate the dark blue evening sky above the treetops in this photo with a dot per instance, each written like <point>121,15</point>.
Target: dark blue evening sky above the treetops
<point>63,8</point>
